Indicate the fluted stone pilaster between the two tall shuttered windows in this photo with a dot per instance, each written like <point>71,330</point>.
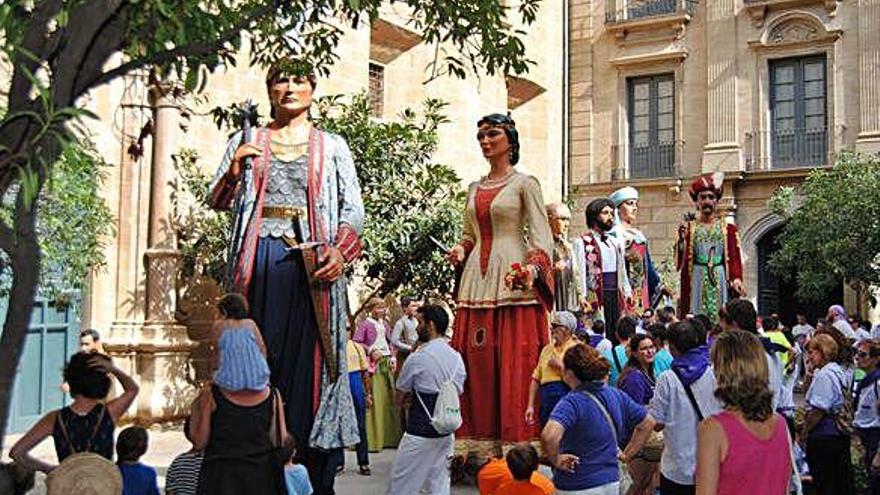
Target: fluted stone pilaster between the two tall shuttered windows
<point>722,151</point>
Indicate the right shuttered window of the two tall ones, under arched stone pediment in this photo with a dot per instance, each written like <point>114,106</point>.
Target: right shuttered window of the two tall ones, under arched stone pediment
<point>798,116</point>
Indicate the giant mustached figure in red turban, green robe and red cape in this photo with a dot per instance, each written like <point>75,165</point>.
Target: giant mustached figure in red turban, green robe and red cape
<point>708,253</point>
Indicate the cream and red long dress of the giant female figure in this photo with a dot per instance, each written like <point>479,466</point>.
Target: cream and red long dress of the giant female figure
<point>500,331</point>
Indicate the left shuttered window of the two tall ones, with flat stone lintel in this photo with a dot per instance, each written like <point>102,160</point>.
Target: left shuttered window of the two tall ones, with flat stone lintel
<point>651,113</point>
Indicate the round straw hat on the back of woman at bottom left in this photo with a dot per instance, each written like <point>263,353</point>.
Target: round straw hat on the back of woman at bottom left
<point>85,474</point>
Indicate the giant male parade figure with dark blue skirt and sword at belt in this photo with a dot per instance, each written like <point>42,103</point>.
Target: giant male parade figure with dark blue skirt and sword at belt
<point>297,214</point>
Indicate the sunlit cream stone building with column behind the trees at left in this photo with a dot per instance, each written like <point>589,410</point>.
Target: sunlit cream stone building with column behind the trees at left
<point>135,303</point>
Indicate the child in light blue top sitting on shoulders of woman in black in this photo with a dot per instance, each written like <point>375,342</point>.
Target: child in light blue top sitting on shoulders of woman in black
<point>241,351</point>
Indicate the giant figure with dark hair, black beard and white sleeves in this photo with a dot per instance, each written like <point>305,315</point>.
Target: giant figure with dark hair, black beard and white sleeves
<point>601,258</point>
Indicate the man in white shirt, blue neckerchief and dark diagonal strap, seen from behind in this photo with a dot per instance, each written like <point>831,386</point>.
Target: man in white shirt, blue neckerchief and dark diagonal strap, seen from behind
<point>676,414</point>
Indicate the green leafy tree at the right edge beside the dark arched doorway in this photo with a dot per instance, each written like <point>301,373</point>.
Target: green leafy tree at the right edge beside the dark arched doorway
<point>834,234</point>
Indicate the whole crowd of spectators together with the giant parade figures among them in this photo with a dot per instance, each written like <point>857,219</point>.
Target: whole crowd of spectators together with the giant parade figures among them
<point>556,339</point>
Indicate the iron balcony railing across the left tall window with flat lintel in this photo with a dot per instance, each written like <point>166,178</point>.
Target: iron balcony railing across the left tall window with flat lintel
<point>646,162</point>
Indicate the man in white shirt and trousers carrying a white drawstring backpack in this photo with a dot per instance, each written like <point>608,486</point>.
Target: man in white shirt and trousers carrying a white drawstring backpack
<point>432,378</point>
